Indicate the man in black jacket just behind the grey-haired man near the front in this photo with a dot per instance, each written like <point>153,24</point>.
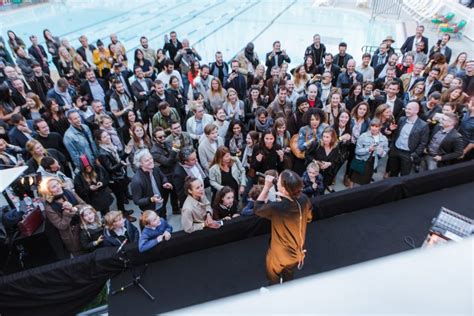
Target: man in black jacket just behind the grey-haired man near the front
<point>166,157</point>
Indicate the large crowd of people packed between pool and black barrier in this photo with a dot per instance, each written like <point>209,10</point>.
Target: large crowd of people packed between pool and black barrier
<point>168,127</point>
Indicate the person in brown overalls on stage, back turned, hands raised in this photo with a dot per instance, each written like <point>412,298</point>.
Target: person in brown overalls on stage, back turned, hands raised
<point>289,216</point>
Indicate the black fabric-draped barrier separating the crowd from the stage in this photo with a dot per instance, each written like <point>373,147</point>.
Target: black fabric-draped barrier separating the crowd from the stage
<point>63,287</point>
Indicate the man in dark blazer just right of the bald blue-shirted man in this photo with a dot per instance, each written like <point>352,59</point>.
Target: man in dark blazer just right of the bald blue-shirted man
<point>446,144</point>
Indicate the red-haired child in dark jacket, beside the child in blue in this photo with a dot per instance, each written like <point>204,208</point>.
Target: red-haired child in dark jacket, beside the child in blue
<point>118,229</point>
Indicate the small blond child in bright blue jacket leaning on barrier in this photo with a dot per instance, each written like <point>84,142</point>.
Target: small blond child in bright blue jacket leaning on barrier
<point>155,230</point>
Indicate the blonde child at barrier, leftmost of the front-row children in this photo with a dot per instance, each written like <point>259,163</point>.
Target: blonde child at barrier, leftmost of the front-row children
<point>92,230</point>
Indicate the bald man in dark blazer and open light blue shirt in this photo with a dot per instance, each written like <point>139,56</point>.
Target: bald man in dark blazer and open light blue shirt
<point>409,142</point>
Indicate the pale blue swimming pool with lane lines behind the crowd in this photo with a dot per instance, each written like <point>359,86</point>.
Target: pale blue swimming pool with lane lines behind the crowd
<point>210,25</point>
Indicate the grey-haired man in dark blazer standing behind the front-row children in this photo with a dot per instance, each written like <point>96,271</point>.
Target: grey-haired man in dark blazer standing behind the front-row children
<point>148,184</point>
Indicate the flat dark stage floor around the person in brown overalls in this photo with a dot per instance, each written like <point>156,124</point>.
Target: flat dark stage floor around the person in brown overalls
<point>331,243</point>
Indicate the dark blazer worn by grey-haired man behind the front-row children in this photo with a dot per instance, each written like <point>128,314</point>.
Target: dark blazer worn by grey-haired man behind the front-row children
<point>142,190</point>
